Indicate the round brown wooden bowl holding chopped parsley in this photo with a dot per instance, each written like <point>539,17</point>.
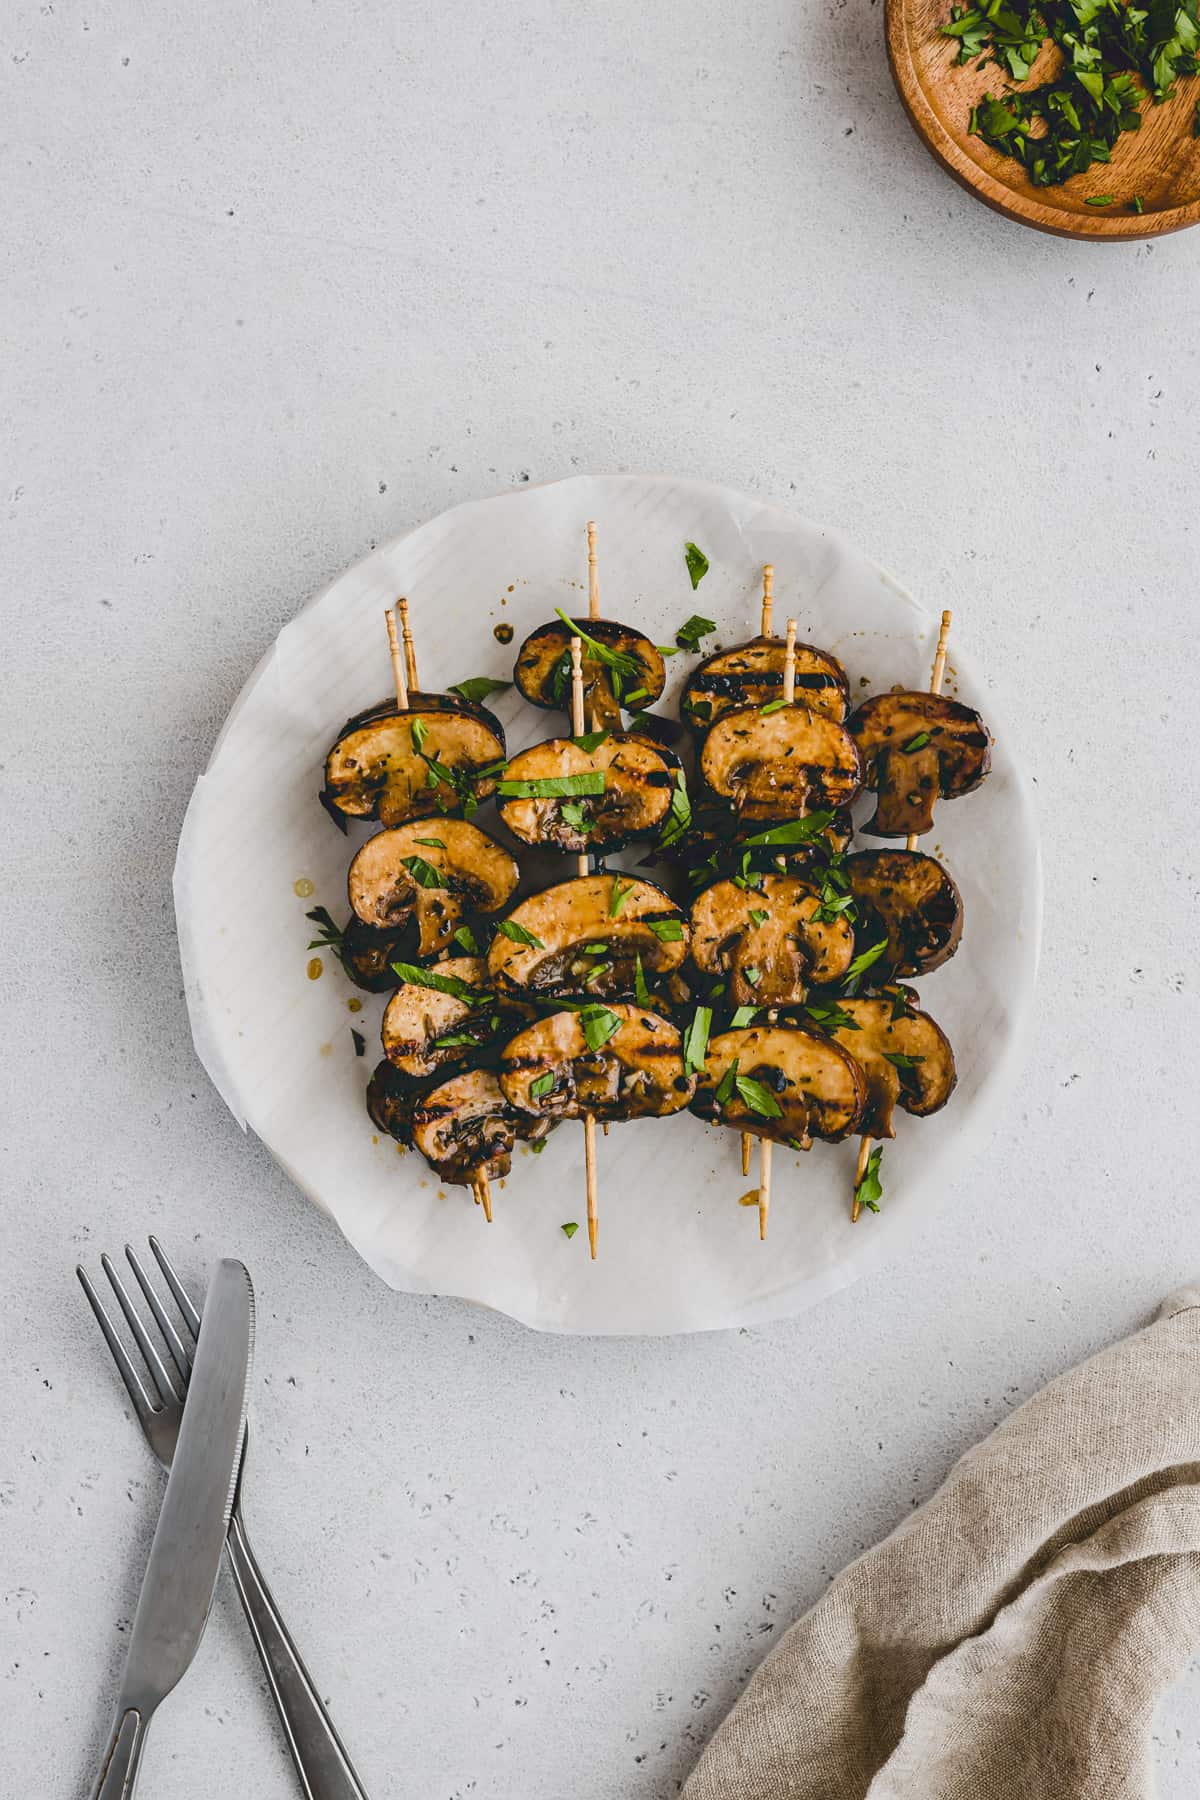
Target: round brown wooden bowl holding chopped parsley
<point>1161,163</point>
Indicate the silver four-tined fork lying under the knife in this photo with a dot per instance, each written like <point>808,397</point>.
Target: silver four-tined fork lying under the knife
<point>319,1756</point>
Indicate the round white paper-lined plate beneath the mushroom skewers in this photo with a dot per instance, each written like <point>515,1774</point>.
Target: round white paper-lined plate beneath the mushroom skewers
<point>676,1250</point>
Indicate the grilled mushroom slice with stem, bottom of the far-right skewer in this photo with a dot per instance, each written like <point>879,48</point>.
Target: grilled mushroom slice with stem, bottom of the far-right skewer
<point>904,1057</point>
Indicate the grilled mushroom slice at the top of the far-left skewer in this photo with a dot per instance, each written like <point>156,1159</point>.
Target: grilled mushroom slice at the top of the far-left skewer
<point>397,766</point>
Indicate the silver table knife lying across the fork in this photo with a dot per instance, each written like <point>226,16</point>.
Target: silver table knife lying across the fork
<point>190,1538</point>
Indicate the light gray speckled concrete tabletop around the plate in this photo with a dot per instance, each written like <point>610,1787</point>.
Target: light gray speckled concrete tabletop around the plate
<point>280,282</point>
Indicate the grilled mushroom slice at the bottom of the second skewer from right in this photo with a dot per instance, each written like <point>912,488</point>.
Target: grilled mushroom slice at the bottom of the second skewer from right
<point>816,1084</point>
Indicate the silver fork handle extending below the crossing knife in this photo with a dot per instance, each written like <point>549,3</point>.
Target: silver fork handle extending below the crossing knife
<point>319,1756</point>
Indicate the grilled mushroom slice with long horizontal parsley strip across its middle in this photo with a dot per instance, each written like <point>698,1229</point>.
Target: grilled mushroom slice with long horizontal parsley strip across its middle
<point>634,802</point>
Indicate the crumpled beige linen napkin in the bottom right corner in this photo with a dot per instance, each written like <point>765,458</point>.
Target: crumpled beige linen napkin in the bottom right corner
<point>1012,1639</point>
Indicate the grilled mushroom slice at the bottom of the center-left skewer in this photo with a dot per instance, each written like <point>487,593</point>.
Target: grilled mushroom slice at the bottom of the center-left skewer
<point>634,1072</point>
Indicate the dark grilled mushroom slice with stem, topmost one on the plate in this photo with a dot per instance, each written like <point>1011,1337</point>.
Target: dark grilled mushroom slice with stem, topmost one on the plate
<point>629,667</point>
